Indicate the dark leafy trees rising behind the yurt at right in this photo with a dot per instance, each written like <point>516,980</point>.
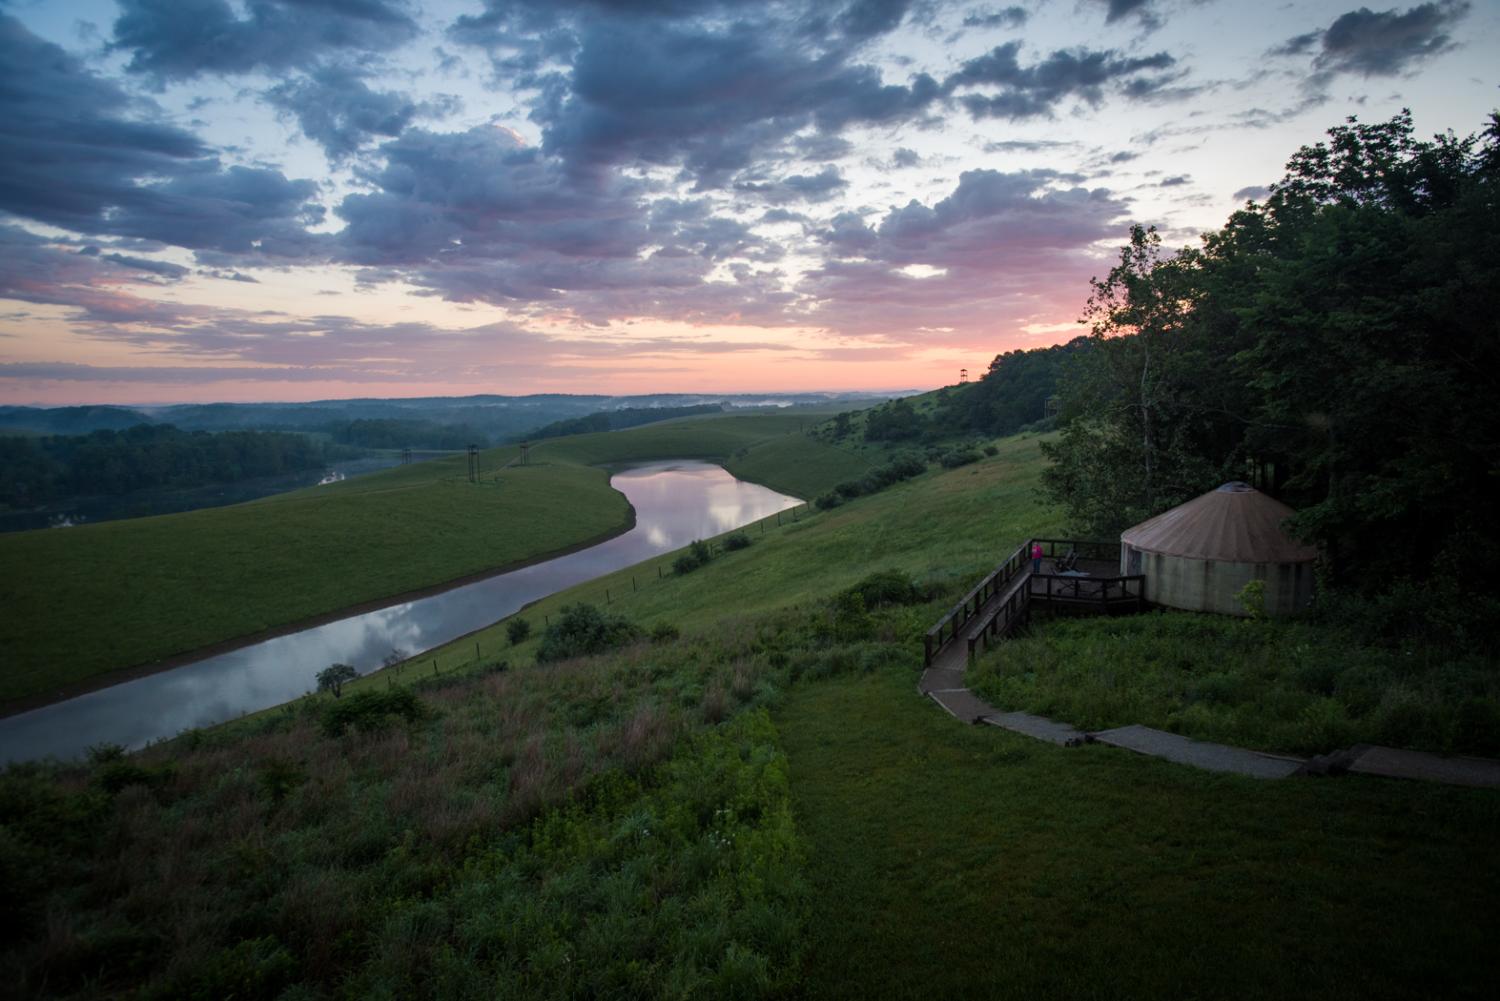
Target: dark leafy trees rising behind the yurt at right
<point>1337,344</point>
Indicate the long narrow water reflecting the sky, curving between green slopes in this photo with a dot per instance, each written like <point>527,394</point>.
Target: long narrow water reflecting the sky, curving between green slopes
<point>676,504</point>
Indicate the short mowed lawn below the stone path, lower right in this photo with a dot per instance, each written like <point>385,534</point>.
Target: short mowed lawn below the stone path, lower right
<point>965,862</point>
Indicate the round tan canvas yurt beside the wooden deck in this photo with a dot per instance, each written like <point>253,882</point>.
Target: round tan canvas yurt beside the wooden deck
<point>1199,556</point>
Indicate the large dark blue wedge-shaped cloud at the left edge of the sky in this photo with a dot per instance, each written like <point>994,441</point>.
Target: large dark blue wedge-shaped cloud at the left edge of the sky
<point>77,158</point>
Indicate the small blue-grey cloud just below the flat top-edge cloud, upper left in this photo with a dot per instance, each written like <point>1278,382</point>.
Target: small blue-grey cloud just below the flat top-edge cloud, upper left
<point>338,110</point>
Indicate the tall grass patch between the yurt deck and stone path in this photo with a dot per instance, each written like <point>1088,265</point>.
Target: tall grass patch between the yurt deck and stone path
<point>1274,685</point>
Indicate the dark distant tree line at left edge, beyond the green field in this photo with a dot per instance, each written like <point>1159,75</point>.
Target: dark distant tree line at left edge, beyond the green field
<point>43,470</point>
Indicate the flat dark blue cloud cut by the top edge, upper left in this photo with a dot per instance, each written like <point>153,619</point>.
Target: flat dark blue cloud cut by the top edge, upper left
<point>179,40</point>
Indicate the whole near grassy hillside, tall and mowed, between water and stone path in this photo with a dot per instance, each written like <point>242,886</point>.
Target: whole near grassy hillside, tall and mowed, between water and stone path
<point>760,808</point>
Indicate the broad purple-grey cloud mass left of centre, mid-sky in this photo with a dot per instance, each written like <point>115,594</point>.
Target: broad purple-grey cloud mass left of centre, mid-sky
<point>478,217</point>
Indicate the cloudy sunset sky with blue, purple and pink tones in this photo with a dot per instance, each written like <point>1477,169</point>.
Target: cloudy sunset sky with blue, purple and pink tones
<point>314,199</point>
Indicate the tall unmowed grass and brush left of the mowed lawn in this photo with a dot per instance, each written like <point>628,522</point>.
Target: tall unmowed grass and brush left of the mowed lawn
<point>607,826</point>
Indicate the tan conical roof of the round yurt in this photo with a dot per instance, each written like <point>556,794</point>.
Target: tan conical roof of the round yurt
<point>1235,523</point>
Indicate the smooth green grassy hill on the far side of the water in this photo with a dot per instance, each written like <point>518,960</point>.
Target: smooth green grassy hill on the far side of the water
<point>98,598</point>
